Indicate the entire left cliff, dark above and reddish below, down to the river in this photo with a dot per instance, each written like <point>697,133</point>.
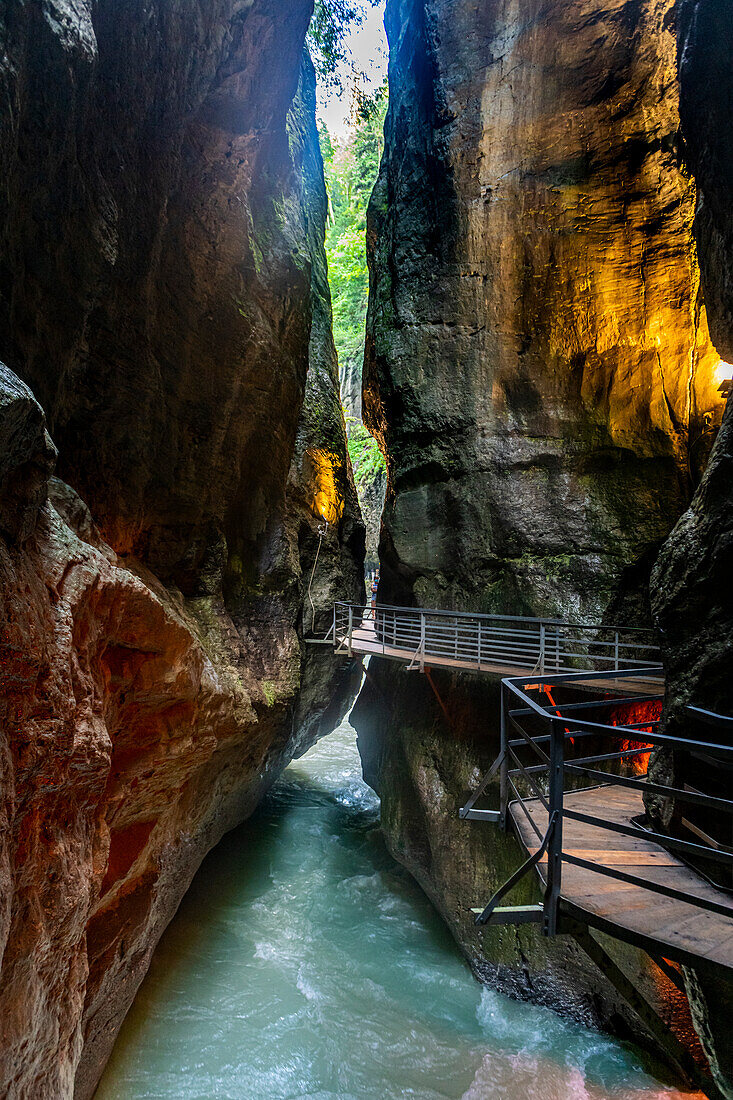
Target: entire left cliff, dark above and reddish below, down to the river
<point>162,291</point>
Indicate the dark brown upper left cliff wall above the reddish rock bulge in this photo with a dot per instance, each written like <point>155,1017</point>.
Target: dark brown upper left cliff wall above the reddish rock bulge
<point>157,277</point>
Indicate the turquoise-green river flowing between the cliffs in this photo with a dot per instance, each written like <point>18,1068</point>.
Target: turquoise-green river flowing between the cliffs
<point>305,963</point>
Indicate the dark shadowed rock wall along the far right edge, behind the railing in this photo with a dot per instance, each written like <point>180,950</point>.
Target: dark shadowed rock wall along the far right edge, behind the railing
<point>692,590</point>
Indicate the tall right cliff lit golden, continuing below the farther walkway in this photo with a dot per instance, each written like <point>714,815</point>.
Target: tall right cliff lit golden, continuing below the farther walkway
<point>540,370</point>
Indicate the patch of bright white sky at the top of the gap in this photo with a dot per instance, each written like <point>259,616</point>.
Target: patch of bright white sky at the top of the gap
<point>368,49</point>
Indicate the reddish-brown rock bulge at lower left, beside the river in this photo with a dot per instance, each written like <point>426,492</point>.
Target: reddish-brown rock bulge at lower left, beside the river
<point>112,717</point>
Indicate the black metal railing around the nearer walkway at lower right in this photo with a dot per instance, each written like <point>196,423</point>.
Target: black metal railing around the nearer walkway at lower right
<point>556,735</point>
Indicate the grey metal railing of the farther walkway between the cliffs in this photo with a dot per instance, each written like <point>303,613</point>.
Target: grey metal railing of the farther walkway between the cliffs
<point>486,642</point>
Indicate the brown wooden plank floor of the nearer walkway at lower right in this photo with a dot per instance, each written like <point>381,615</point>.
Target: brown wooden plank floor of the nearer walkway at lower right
<point>664,927</point>
